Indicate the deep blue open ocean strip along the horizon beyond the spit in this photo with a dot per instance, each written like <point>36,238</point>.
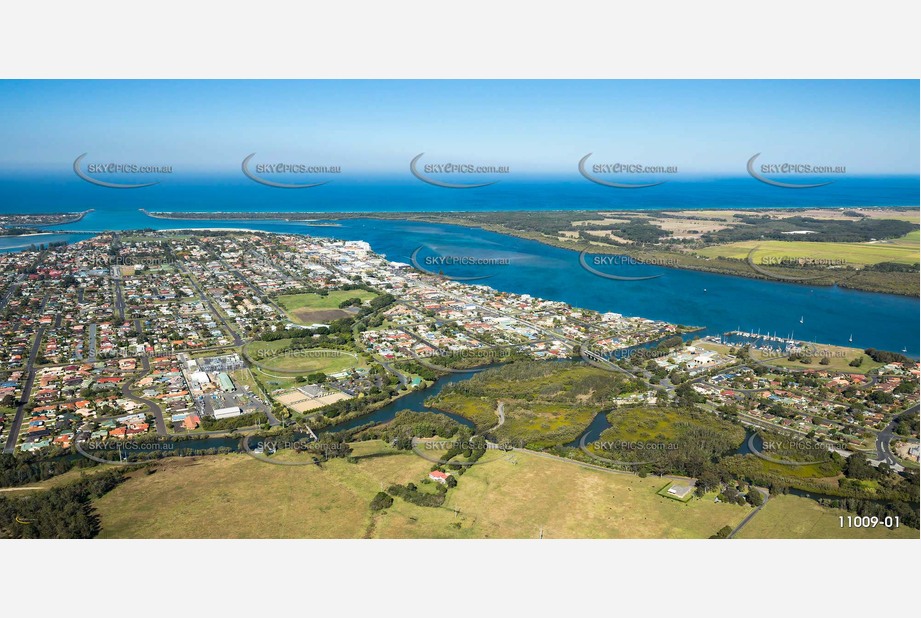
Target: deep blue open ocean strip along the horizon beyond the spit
<point>237,193</point>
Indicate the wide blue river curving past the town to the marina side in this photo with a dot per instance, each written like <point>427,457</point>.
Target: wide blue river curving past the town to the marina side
<point>718,302</point>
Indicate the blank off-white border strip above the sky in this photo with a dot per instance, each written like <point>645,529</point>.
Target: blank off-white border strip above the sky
<point>460,39</point>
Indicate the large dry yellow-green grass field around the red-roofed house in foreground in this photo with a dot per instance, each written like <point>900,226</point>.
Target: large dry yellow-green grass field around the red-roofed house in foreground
<point>516,495</point>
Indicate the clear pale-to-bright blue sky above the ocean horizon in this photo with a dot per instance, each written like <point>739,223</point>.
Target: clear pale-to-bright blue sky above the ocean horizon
<point>710,127</point>
